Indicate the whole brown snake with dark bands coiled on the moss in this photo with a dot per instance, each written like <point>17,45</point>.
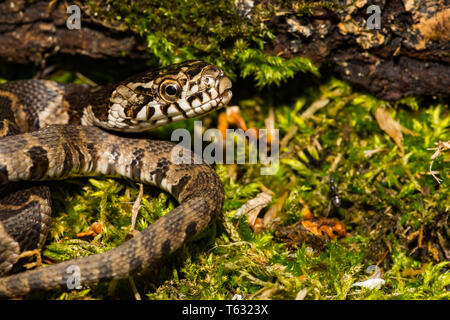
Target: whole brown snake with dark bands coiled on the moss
<point>52,131</point>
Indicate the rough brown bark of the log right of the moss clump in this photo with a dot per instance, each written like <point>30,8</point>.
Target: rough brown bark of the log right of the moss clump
<point>408,55</point>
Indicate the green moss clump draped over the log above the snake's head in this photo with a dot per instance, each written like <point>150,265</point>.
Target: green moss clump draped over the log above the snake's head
<point>213,31</point>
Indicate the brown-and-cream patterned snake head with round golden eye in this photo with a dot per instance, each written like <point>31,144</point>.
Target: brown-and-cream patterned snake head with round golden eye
<point>170,94</point>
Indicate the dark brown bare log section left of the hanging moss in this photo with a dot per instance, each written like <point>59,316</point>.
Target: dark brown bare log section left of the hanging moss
<point>33,31</point>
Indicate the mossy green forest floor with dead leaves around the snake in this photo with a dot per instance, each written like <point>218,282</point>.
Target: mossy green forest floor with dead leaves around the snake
<point>391,180</point>
